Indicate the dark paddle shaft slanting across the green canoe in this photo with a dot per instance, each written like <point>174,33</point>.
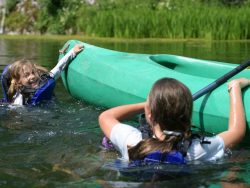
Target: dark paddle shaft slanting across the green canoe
<point>220,80</point>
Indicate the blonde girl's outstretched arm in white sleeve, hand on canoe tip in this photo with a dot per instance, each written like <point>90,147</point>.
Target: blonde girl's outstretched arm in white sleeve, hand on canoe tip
<point>57,70</point>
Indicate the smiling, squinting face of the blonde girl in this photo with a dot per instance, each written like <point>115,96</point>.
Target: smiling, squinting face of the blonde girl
<point>28,77</point>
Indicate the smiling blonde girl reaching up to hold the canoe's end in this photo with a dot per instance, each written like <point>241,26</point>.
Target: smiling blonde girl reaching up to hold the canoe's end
<point>26,78</point>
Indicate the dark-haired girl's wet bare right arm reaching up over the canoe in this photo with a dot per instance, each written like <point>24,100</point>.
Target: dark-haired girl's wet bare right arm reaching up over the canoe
<point>237,122</point>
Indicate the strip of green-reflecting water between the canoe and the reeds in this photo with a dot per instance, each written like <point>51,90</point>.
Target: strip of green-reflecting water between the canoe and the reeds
<point>231,52</point>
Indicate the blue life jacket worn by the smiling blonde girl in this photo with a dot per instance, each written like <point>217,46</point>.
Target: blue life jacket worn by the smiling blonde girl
<point>44,92</point>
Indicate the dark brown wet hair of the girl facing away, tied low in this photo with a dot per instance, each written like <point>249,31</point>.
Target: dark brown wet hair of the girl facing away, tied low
<point>170,103</point>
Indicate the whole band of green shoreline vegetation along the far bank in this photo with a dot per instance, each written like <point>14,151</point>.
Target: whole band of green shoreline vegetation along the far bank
<point>125,19</point>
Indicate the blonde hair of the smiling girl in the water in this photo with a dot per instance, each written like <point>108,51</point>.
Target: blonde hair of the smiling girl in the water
<point>14,72</point>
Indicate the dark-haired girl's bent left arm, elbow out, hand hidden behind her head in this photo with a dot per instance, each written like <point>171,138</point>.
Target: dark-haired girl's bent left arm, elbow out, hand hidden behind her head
<point>109,118</point>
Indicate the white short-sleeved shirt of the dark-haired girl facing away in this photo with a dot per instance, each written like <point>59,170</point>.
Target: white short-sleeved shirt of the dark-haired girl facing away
<point>123,135</point>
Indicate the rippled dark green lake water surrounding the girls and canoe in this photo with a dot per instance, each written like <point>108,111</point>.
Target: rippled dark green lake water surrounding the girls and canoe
<point>58,144</point>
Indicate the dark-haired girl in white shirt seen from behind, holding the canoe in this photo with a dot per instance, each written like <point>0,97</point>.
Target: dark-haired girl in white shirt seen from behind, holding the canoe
<point>168,111</point>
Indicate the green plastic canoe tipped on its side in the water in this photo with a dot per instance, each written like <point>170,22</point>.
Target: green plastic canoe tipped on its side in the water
<point>109,78</point>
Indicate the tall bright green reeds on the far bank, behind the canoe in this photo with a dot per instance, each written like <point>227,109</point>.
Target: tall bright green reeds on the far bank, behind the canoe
<point>187,21</point>
